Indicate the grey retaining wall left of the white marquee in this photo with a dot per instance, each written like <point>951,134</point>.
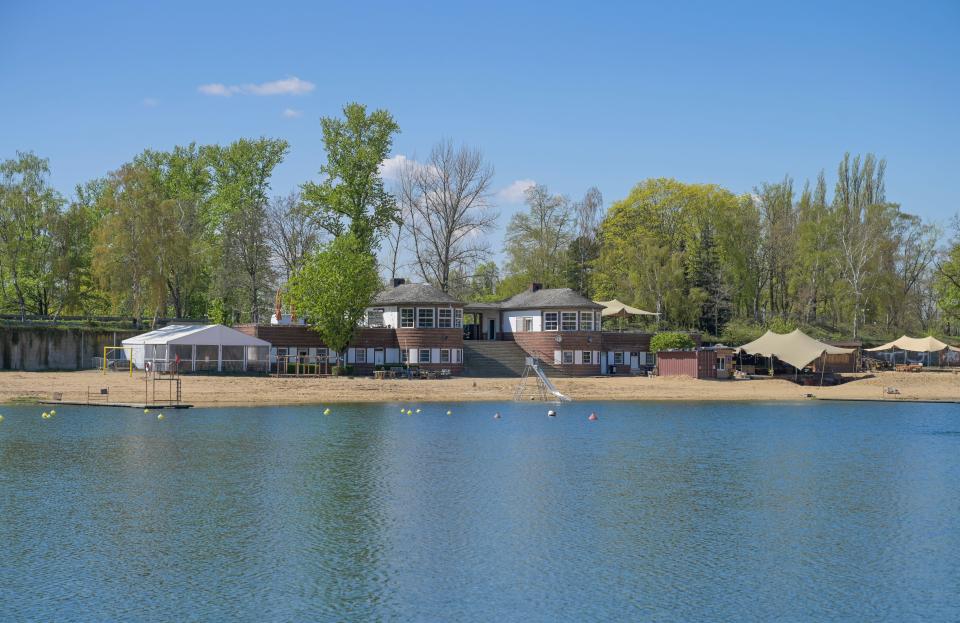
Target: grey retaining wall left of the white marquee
<point>48,348</point>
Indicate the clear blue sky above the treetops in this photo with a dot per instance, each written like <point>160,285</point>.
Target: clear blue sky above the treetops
<point>567,94</point>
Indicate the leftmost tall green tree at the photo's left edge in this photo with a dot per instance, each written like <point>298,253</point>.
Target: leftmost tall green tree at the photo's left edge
<point>29,208</point>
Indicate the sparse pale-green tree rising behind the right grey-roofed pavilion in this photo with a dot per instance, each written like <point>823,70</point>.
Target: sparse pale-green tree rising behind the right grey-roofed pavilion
<point>535,239</point>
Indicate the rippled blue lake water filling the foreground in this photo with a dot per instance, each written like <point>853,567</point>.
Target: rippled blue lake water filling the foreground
<point>672,512</point>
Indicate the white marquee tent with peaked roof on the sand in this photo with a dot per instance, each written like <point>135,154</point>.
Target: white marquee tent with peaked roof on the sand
<point>210,347</point>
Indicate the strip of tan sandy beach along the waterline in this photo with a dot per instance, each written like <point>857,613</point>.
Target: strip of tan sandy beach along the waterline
<point>239,391</point>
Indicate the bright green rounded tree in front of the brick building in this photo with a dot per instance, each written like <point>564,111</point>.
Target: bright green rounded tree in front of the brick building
<point>334,287</point>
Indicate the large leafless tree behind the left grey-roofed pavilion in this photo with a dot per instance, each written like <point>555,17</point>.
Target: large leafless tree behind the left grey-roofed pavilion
<point>446,199</point>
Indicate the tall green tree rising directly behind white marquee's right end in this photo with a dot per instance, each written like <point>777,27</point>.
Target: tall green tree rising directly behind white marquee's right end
<point>241,173</point>
